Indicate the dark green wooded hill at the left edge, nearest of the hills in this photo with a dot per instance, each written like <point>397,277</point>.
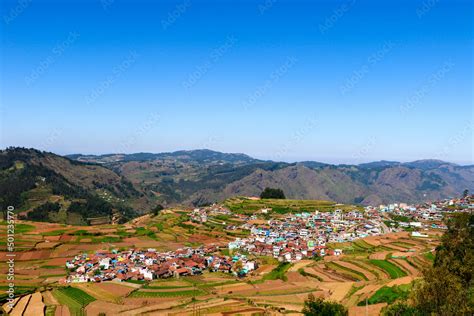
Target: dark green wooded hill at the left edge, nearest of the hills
<point>47,187</point>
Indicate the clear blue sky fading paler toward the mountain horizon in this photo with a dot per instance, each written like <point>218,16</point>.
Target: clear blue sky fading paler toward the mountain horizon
<point>333,81</point>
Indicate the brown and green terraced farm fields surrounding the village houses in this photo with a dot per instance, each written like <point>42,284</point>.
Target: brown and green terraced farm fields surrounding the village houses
<point>366,266</point>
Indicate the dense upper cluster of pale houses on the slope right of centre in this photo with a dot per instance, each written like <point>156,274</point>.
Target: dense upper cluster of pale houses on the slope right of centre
<point>303,235</point>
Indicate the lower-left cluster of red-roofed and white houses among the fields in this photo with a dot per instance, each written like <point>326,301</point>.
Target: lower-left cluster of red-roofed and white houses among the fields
<point>150,264</point>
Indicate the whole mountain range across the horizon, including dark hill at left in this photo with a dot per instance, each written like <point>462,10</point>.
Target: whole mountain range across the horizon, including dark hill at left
<point>30,178</point>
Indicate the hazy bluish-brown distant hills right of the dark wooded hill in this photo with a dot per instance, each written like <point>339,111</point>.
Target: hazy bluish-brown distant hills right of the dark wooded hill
<point>204,176</point>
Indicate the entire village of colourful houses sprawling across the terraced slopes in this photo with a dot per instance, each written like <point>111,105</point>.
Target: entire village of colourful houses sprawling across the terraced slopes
<point>288,238</point>
